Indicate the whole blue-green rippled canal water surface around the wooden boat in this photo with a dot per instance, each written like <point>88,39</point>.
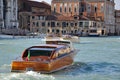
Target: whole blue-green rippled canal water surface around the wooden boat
<point>98,59</point>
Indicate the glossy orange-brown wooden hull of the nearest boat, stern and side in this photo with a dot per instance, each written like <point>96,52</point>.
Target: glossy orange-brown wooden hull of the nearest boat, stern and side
<point>41,66</point>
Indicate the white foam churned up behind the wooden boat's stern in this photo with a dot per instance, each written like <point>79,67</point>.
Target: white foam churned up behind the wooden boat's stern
<point>30,75</point>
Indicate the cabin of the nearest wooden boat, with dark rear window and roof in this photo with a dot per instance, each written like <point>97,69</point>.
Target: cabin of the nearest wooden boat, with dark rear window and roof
<point>45,53</point>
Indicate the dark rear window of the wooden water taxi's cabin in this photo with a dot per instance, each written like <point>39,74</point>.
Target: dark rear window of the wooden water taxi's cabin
<point>41,51</point>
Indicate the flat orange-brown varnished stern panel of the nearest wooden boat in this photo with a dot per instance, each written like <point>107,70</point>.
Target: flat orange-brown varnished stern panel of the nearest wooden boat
<point>21,66</point>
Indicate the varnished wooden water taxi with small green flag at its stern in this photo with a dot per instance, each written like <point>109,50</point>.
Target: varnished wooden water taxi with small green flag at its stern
<point>46,58</point>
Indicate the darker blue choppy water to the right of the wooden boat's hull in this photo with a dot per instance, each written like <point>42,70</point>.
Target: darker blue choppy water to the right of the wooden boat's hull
<point>83,68</point>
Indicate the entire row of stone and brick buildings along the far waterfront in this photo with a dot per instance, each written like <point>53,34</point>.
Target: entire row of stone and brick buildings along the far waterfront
<point>62,16</point>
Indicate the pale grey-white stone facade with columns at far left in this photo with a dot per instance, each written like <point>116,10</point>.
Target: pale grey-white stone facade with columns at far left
<point>8,14</point>
